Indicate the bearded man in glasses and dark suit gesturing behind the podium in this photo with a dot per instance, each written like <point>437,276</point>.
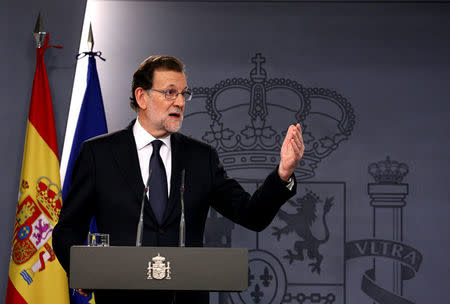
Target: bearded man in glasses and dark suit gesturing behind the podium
<point>111,171</point>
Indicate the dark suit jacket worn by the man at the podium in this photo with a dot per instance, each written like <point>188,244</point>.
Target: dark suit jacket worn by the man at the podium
<point>107,184</point>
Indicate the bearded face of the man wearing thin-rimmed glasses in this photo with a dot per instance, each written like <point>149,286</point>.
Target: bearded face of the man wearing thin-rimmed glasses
<point>159,116</point>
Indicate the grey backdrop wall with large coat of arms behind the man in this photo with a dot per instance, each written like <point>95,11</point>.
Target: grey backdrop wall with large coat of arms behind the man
<point>368,82</point>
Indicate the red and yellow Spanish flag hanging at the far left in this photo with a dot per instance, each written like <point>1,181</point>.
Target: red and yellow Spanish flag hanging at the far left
<point>35,275</point>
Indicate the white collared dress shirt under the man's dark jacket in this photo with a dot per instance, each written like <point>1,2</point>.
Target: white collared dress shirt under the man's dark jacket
<point>145,149</point>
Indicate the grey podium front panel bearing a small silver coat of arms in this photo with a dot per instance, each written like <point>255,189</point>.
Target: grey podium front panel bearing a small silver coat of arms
<point>158,268</point>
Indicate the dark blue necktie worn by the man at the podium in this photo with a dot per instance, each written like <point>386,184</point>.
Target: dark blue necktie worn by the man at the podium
<point>158,182</point>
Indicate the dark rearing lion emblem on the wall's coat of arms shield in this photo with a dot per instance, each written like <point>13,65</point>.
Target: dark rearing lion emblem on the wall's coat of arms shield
<point>301,223</point>
